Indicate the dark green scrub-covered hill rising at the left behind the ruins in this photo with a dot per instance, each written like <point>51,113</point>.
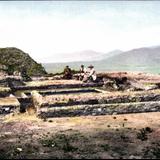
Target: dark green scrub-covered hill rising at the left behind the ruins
<point>15,60</point>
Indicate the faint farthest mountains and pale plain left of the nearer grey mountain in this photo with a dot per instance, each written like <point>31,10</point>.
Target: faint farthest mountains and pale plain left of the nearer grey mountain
<point>76,59</point>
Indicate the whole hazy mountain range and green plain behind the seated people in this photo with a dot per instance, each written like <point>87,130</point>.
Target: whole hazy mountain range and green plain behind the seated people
<point>146,59</point>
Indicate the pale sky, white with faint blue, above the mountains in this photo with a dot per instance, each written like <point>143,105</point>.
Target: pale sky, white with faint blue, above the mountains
<point>49,30</point>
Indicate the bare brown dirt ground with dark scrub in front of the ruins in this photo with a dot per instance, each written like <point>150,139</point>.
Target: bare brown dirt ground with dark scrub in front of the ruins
<point>132,136</point>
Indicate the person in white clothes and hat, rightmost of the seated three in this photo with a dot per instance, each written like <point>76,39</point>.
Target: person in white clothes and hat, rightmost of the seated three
<point>91,74</point>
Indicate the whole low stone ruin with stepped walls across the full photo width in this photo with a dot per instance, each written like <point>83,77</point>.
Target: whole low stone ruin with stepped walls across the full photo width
<point>113,94</point>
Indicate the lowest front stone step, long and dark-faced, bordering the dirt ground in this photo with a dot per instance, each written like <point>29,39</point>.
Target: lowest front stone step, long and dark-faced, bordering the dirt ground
<point>100,109</point>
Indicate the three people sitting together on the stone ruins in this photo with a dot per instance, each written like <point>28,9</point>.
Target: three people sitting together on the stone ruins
<point>85,74</point>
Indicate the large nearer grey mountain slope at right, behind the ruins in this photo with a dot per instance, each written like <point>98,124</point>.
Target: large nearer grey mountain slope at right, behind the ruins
<point>141,59</point>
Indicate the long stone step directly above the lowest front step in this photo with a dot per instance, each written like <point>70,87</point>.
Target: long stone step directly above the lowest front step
<point>100,98</point>
